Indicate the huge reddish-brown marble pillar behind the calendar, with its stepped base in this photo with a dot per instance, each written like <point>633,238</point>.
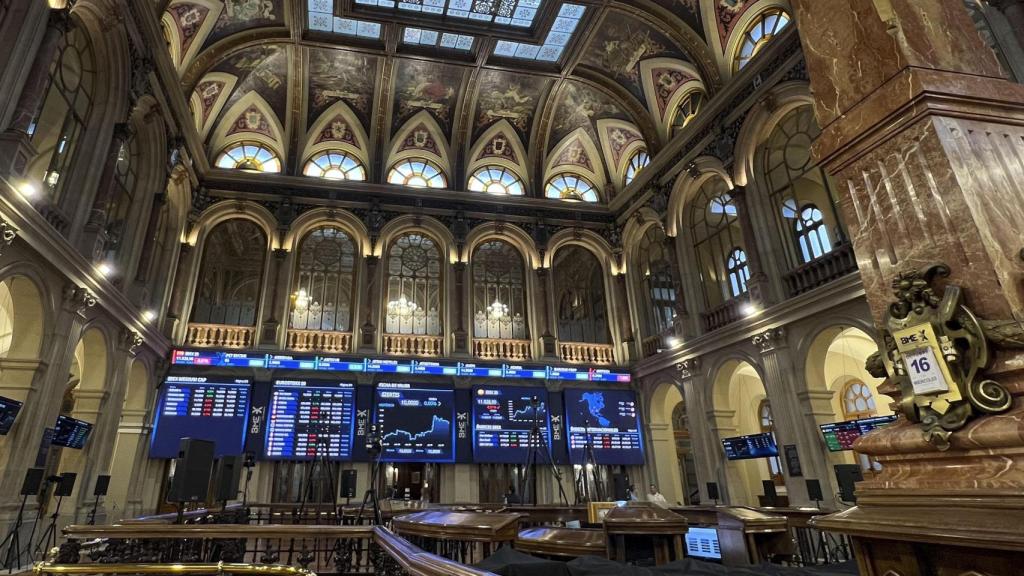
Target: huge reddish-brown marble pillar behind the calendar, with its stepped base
<point>923,137</point>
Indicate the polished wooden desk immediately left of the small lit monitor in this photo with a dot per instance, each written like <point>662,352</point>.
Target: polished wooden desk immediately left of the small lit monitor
<point>663,527</point>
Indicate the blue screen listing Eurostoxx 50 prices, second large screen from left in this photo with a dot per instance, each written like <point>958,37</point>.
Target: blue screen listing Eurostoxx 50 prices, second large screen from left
<point>310,420</point>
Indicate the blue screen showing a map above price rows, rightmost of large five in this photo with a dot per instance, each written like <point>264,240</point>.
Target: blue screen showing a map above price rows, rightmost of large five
<point>606,422</point>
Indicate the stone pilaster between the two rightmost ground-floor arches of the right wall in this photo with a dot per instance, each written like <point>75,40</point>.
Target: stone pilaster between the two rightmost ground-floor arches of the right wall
<point>793,428</point>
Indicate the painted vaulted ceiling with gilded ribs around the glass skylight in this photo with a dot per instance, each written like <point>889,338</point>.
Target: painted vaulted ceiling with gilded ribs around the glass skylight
<point>537,87</point>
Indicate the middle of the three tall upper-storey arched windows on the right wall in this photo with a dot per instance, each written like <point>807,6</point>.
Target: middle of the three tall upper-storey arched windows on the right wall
<point>716,235</point>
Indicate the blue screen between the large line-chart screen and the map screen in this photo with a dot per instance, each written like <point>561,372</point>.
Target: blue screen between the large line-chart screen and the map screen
<point>503,420</point>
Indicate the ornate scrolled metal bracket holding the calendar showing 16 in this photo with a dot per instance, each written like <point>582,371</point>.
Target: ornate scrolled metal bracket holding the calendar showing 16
<point>935,352</point>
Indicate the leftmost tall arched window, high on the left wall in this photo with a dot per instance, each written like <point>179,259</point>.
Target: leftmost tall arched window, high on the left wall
<point>62,119</point>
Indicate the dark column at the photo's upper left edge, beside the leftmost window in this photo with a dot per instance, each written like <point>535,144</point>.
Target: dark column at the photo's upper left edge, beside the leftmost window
<point>16,144</point>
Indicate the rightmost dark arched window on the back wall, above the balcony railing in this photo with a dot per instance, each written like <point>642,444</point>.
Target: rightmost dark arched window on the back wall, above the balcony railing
<point>582,311</point>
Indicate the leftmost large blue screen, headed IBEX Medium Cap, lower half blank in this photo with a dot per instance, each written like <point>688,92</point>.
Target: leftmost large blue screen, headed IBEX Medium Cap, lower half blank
<point>203,408</point>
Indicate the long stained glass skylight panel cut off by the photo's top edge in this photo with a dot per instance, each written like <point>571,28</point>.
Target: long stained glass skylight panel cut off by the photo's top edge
<point>521,14</point>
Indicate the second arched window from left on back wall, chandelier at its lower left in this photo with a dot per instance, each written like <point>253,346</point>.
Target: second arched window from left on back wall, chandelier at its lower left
<point>322,297</point>
